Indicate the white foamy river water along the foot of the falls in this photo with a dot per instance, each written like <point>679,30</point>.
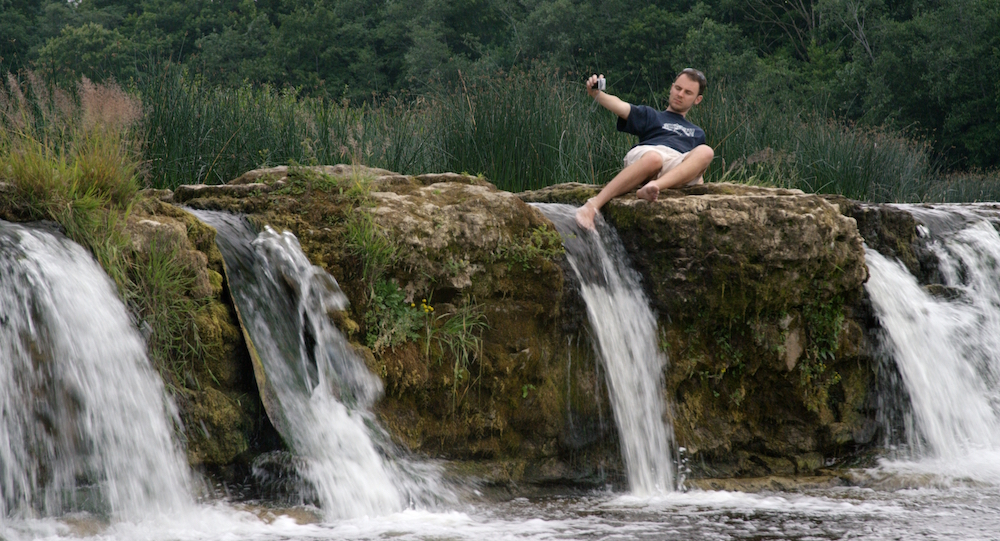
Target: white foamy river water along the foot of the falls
<point>673,516</point>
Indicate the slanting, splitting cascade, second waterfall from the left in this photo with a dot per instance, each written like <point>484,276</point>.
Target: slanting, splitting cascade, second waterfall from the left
<point>318,390</point>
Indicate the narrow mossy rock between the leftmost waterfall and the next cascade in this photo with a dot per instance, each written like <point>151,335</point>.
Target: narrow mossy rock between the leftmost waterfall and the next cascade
<point>213,386</point>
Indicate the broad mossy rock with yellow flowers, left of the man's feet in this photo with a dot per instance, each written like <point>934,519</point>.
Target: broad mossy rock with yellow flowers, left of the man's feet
<point>457,302</point>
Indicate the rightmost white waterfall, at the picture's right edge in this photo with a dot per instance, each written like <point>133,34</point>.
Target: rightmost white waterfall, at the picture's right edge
<point>946,346</point>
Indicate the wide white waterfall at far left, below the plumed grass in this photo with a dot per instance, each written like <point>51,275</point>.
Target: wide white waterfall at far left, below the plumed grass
<point>85,424</point>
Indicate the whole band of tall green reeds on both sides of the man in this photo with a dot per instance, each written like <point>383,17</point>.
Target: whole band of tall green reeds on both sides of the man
<point>522,130</point>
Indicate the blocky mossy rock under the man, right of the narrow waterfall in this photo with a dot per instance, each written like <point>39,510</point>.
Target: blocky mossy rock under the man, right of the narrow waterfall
<point>758,292</point>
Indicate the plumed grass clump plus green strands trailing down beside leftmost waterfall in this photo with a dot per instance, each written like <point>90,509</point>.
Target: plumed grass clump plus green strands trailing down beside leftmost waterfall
<point>74,159</point>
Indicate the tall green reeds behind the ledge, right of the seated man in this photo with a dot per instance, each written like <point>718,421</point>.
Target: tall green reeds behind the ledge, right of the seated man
<point>762,142</point>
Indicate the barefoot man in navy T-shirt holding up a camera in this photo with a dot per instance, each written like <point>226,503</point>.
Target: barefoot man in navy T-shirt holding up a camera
<point>671,151</point>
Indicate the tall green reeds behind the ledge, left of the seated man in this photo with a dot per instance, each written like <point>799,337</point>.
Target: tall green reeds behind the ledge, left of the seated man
<point>521,131</point>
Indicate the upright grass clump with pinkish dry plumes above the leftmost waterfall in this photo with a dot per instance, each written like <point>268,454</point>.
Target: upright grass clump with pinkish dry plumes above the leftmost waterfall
<point>57,149</point>
